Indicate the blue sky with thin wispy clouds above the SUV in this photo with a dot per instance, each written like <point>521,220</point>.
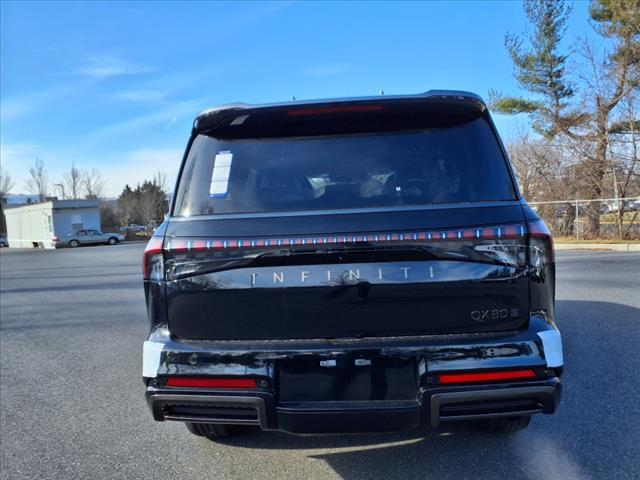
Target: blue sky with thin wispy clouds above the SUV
<point>116,85</point>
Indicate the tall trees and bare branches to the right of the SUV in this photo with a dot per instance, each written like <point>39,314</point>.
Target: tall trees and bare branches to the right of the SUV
<point>583,103</point>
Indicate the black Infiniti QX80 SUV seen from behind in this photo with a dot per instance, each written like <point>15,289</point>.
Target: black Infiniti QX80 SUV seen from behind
<point>350,265</point>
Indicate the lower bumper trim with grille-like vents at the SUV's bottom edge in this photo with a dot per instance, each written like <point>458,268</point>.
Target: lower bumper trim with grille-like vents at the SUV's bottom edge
<point>432,408</point>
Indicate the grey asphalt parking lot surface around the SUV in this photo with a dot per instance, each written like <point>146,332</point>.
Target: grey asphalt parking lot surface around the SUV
<point>72,323</point>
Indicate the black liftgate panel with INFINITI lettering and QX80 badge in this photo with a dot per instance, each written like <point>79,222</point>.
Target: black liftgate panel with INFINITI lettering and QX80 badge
<point>348,285</point>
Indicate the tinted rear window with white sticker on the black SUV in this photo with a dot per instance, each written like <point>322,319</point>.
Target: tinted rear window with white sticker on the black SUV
<point>461,163</point>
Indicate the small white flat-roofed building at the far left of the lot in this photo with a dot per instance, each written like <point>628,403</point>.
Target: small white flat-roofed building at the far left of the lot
<point>38,224</point>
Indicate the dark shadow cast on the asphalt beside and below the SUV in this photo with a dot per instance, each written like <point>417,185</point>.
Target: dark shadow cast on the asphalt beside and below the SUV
<point>593,434</point>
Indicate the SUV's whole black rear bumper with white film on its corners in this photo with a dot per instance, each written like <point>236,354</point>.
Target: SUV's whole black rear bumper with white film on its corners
<point>421,402</point>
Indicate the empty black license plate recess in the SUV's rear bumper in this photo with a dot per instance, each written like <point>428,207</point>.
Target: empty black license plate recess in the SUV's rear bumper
<point>347,379</point>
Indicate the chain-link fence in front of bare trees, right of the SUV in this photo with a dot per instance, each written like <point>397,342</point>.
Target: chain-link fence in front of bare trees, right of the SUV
<point>605,218</point>
